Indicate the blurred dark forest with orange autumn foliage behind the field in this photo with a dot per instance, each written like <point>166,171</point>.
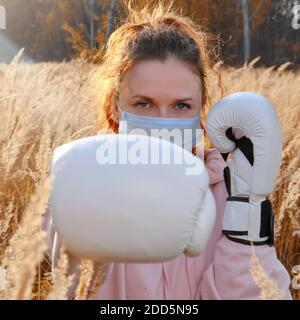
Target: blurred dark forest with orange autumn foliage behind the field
<point>64,29</point>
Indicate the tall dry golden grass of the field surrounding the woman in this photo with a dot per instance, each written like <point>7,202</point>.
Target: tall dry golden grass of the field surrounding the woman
<point>48,104</point>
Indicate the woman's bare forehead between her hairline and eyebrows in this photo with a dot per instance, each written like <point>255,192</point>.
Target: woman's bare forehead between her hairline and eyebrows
<point>156,78</point>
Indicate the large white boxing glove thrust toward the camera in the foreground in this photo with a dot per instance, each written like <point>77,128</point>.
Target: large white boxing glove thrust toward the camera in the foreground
<point>112,210</point>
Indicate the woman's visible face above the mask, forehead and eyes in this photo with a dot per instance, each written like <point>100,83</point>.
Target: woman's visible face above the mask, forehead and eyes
<point>169,89</point>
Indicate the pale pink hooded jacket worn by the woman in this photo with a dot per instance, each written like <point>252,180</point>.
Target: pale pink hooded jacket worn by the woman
<point>221,272</point>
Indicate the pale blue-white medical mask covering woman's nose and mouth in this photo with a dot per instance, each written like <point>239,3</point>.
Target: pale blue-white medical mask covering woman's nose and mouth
<point>185,132</point>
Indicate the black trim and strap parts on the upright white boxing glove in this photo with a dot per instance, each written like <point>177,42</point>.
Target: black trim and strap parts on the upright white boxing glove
<point>267,214</point>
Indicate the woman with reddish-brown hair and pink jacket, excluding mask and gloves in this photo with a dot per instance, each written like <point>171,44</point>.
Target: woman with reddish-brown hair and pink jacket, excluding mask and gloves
<point>155,65</point>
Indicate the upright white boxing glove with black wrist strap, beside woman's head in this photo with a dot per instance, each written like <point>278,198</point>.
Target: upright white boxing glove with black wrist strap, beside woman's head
<point>245,128</point>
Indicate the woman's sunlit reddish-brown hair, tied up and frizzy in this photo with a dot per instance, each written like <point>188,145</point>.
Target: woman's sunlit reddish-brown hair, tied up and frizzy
<point>152,34</point>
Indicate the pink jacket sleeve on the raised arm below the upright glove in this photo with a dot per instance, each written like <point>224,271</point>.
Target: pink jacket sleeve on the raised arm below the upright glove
<point>228,276</point>
